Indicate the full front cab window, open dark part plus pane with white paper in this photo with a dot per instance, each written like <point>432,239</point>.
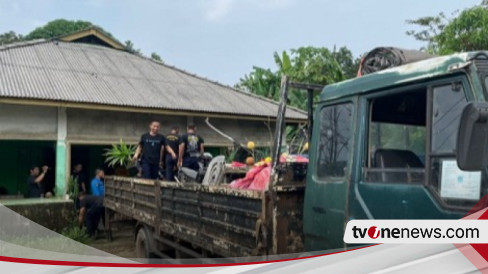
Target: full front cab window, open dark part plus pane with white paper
<point>412,140</point>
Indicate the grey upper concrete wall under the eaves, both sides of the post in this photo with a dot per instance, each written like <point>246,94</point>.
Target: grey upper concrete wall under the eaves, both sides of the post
<point>21,122</point>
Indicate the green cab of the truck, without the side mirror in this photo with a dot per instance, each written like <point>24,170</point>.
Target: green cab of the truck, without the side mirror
<point>385,147</point>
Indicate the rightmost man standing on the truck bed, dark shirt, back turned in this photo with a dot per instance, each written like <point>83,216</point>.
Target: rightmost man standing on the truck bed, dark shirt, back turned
<point>191,147</point>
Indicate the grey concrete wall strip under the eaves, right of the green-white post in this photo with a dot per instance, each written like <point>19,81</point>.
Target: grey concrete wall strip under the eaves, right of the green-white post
<point>109,126</point>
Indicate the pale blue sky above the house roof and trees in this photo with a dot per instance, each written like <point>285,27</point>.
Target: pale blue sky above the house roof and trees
<point>223,39</point>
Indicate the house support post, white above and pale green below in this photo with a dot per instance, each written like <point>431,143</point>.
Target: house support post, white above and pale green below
<point>61,152</point>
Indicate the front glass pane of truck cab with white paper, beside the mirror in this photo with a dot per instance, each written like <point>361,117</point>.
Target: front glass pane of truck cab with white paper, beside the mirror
<point>454,186</point>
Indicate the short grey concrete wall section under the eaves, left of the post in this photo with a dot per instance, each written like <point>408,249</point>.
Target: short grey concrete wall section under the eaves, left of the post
<point>20,122</point>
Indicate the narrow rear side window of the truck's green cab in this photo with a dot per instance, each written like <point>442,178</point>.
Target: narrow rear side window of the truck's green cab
<point>335,141</point>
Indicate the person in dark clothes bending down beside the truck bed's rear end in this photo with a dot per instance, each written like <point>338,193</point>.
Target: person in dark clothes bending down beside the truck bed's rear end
<point>91,210</point>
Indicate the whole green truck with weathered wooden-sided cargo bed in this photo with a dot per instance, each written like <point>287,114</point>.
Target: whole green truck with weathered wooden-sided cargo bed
<point>383,147</point>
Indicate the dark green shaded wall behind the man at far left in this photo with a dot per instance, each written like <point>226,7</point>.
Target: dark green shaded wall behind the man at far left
<point>16,159</point>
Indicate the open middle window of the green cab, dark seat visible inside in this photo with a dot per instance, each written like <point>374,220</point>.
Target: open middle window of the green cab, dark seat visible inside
<point>397,138</point>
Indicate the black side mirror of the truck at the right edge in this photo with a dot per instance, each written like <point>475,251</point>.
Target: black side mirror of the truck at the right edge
<point>472,141</point>
